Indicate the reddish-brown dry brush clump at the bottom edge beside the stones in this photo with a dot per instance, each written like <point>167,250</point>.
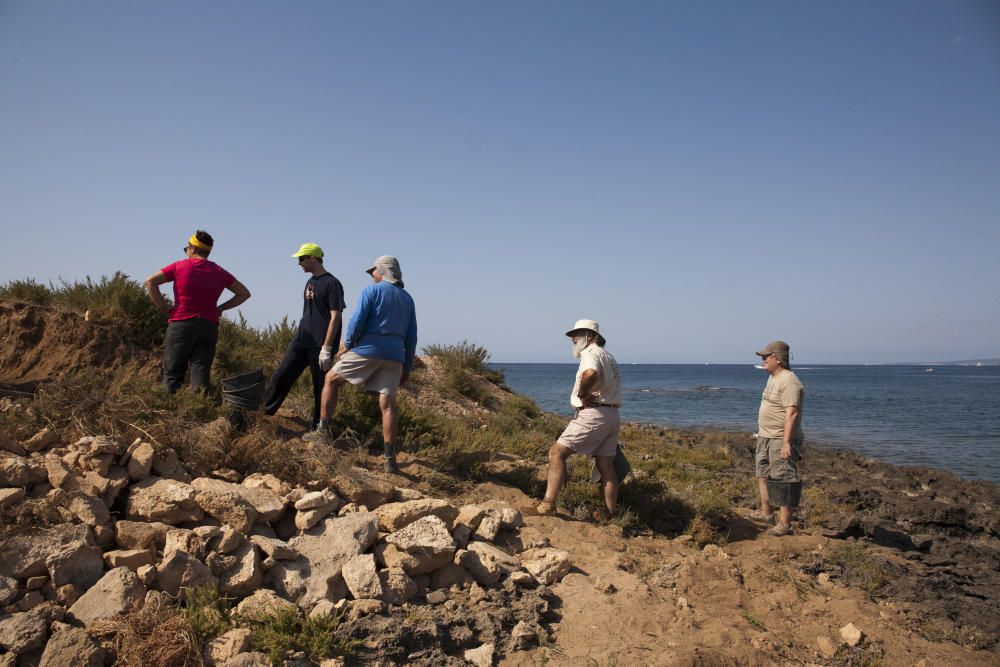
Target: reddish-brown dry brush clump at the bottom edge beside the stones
<point>157,635</point>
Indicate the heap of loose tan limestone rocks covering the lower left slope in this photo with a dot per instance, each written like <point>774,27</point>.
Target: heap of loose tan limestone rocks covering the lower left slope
<point>133,521</point>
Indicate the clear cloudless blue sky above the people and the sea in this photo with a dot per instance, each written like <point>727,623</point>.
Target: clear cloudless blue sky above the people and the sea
<point>700,177</point>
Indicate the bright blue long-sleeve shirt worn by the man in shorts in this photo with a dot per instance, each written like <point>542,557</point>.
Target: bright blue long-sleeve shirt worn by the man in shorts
<point>384,325</point>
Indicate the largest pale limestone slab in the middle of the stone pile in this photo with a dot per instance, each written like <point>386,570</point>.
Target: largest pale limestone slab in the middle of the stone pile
<point>326,547</point>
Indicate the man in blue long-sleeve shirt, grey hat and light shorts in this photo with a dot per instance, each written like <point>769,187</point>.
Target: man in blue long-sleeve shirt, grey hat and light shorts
<point>377,354</point>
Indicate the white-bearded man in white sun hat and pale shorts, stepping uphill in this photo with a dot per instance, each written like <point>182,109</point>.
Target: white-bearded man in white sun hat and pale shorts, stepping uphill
<point>597,395</point>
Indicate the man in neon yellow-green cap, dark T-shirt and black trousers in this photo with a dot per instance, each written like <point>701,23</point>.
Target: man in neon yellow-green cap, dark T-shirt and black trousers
<point>318,335</point>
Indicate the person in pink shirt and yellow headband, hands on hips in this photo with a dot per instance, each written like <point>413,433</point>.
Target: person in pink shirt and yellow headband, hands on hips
<point>193,326</point>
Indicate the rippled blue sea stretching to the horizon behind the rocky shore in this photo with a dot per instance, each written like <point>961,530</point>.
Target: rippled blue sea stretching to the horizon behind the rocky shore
<point>941,416</point>
